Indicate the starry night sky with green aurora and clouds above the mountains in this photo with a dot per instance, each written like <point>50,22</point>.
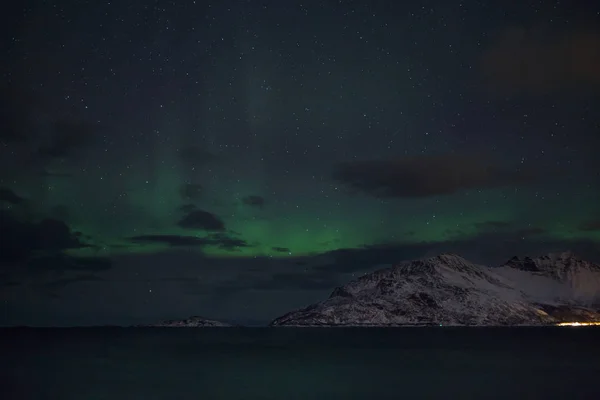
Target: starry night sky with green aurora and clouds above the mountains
<point>239,159</point>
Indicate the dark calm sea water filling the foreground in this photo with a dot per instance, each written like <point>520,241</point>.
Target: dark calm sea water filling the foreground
<point>290,363</point>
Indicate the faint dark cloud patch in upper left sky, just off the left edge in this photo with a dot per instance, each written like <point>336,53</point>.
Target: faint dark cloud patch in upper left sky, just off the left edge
<point>68,138</point>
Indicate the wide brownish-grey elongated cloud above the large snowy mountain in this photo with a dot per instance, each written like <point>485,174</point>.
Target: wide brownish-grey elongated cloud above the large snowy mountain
<point>425,176</point>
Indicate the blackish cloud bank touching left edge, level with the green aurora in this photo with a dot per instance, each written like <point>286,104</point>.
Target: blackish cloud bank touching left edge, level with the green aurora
<point>27,240</point>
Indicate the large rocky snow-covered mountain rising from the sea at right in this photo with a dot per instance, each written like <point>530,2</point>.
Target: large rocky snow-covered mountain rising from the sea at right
<point>449,290</point>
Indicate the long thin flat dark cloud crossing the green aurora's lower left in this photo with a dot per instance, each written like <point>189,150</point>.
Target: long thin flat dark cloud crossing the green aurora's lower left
<point>220,240</point>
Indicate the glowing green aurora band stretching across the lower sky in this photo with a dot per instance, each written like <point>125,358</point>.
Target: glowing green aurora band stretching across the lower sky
<point>145,201</point>
